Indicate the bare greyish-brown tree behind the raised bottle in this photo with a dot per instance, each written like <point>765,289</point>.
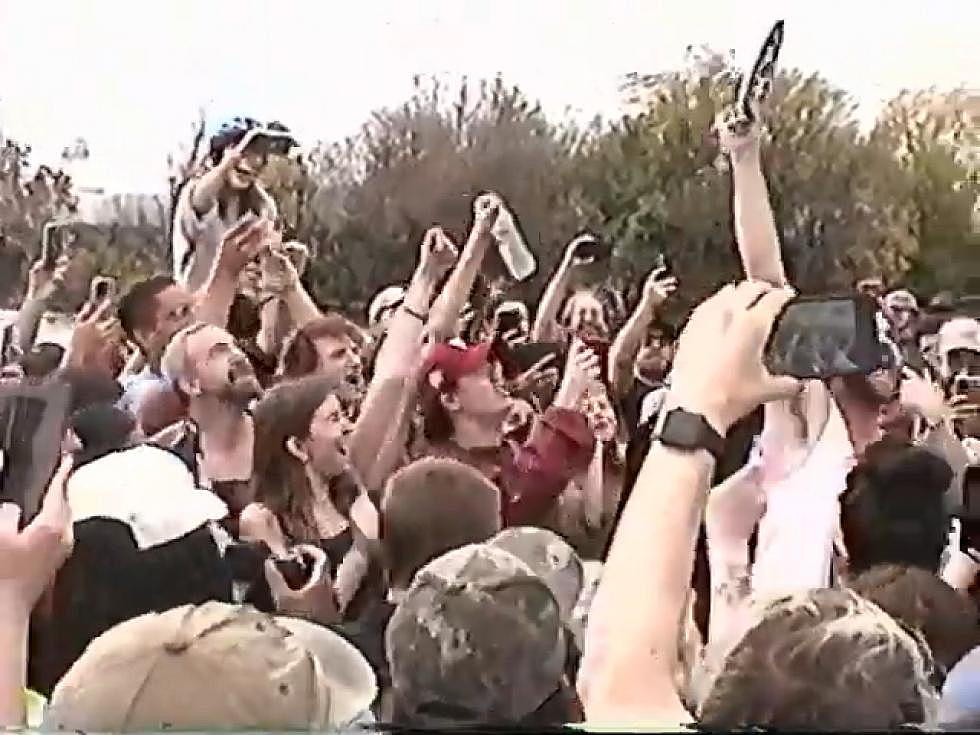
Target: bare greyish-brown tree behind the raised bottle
<point>375,194</point>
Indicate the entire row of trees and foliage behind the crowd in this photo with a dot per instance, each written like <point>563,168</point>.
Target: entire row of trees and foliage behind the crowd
<point>899,202</point>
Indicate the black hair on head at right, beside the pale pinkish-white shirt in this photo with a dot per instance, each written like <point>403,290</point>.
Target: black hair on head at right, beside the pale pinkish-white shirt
<point>893,509</point>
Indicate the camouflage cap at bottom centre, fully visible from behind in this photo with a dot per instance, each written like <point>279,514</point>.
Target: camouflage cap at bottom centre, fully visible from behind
<point>478,637</point>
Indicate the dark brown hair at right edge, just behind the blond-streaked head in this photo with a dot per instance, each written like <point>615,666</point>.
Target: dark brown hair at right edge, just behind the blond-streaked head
<point>922,601</point>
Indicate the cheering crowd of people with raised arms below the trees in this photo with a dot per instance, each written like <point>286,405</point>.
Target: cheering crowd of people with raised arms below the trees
<point>471,510</point>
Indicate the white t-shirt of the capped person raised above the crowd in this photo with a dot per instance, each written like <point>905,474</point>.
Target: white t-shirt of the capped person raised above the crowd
<point>196,239</point>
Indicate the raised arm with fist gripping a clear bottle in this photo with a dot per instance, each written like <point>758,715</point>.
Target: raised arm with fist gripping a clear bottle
<point>448,306</point>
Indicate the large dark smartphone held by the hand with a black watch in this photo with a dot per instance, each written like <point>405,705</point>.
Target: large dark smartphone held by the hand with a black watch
<point>820,337</point>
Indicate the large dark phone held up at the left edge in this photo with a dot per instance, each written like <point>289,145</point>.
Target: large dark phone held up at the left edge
<point>33,420</point>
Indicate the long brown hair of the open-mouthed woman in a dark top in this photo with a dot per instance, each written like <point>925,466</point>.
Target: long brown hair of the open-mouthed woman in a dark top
<point>279,479</point>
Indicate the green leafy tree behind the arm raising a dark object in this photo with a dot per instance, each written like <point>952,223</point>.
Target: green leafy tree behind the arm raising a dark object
<point>662,187</point>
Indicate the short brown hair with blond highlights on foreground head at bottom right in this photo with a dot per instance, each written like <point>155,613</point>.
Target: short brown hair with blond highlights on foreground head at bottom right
<point>825,659</point>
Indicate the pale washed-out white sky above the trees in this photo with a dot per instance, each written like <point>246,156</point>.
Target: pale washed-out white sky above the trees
<point>129,75</point>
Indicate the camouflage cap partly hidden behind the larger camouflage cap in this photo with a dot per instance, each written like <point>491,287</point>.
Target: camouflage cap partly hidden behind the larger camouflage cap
<point>550,557</point>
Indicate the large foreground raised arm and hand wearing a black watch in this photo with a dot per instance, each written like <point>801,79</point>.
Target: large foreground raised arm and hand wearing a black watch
<point>631,680</point>
